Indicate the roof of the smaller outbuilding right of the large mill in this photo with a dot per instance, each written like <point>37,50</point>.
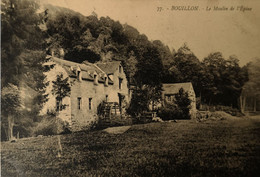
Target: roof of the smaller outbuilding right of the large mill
<point>174,88</point>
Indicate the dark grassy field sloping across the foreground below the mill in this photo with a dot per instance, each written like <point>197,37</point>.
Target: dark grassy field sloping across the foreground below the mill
<point>186,148</point>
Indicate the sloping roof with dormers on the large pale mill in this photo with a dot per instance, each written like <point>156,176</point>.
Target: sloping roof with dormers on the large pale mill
<point>88,70</point>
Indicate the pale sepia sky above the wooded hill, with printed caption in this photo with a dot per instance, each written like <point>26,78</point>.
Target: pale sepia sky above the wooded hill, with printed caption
<point>229,32</point>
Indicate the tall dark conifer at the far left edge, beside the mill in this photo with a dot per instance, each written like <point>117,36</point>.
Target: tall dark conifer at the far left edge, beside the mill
<point>22,55</point>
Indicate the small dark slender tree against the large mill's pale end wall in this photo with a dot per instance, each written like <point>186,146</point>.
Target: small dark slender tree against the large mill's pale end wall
<point>61,89</point>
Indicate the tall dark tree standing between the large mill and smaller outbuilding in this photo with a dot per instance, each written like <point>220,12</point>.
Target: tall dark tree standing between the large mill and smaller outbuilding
<point>147,79</point>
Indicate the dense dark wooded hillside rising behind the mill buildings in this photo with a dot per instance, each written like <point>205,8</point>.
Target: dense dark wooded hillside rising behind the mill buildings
<point>216,80</point>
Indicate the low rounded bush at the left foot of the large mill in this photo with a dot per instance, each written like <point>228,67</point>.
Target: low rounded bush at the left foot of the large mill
<point>50,125</point>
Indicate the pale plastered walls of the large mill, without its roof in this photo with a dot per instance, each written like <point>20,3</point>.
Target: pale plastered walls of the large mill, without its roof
<point>85,89</point>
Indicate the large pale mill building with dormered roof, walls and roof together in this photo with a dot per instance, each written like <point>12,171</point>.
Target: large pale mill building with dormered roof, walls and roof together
<point>90,84</point>
